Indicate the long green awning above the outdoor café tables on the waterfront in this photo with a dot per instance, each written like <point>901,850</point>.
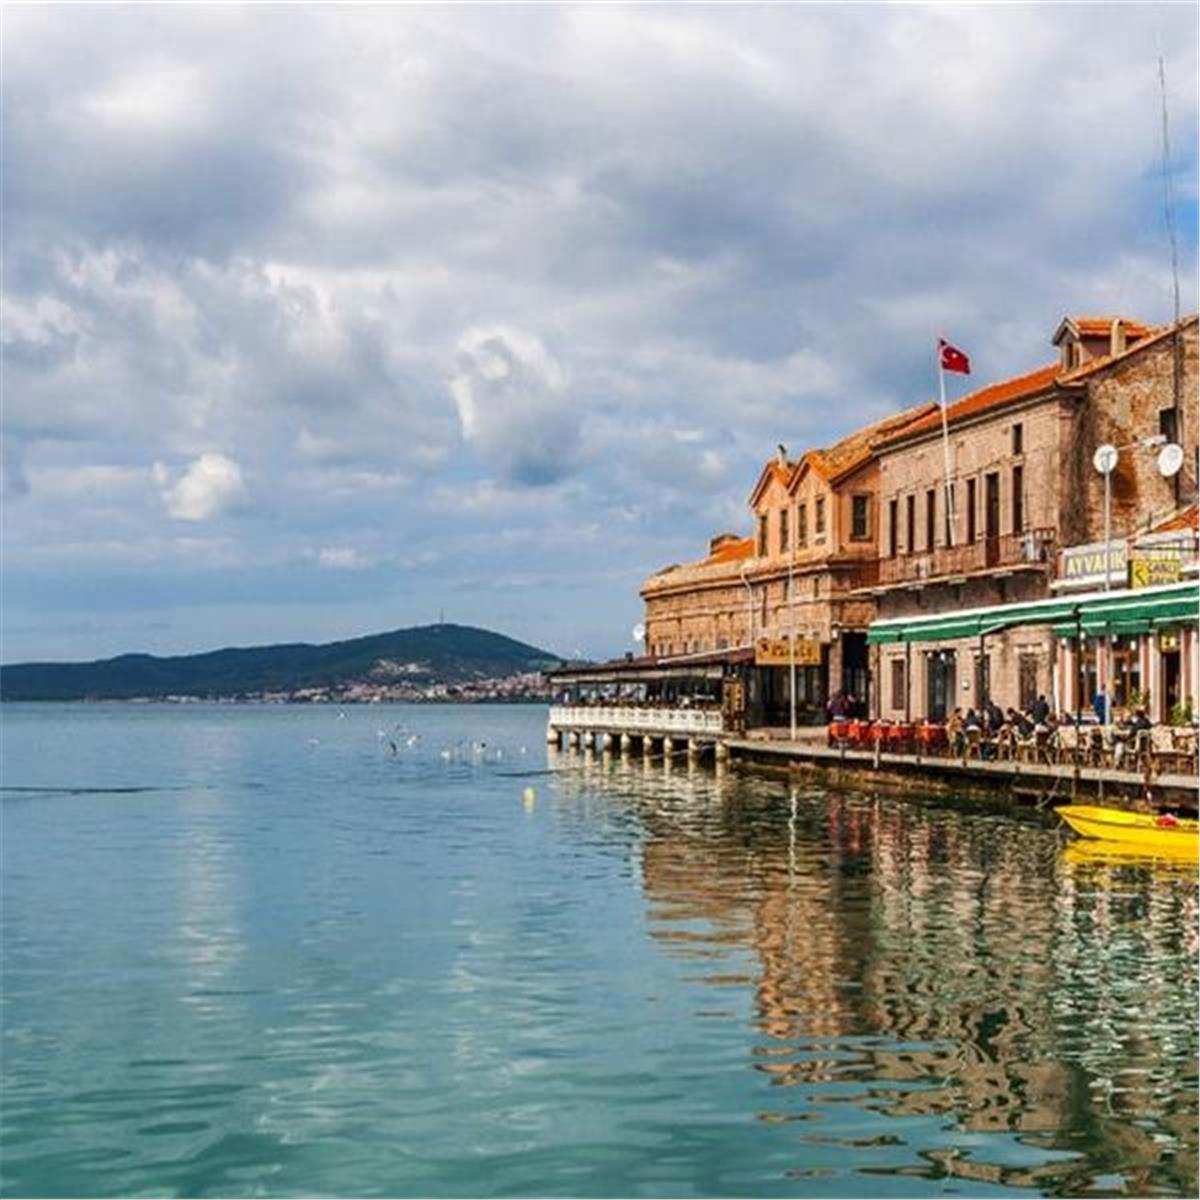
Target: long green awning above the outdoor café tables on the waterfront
<point>1097,614</point>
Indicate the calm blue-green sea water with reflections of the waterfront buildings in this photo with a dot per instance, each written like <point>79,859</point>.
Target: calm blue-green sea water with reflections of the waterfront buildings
<point>284,951</point>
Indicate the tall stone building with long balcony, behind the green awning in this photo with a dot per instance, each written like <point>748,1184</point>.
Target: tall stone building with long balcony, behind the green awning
<point>1022,490</point>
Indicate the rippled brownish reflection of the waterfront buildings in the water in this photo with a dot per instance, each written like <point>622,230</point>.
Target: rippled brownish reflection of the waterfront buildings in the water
<point>951,973</point>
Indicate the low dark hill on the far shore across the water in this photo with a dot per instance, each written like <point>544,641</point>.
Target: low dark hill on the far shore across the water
<point>429,655</point>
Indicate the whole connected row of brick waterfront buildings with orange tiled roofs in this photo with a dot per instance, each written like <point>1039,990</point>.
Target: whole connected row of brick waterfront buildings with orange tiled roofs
<point>868,542</point>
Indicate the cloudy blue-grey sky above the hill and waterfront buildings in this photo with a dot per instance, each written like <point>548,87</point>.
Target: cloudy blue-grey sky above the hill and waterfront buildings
<point>327,321</point>
